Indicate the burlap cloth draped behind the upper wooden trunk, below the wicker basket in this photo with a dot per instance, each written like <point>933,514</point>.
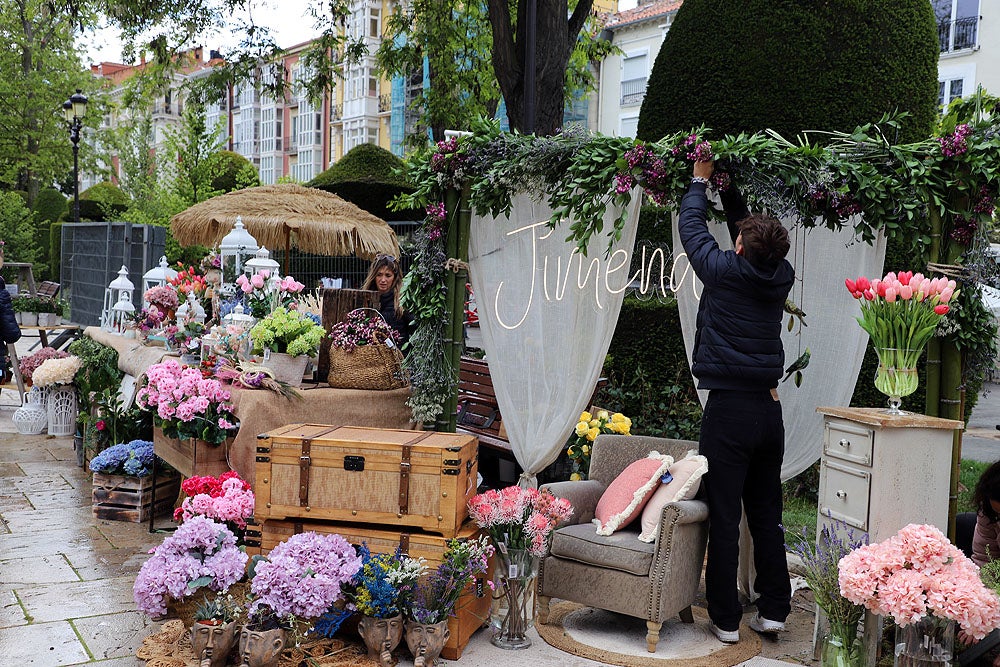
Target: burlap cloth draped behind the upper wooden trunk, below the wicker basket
<point>260,411</point>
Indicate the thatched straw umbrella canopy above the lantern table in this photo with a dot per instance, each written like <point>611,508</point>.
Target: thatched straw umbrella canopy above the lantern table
<point>288,215</point>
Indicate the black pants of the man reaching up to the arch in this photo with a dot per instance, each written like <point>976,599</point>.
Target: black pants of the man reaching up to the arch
<point>743,438</point>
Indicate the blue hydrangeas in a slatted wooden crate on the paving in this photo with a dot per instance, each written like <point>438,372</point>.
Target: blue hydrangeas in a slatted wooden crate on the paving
<point>123,482</point>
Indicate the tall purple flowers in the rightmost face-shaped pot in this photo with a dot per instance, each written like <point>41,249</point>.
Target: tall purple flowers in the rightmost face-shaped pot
<point>433,602</point>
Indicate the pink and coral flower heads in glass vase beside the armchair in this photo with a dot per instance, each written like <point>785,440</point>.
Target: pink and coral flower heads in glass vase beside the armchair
<point>519,518</point>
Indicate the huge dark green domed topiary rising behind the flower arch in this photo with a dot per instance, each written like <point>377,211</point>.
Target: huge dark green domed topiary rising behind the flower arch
<point>792,66</point>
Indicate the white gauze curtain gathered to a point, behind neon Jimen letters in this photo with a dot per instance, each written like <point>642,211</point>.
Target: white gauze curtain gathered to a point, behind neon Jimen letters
<point>547,315</point>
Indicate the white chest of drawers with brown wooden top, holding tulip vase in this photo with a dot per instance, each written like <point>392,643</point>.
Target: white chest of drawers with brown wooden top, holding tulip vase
<point>880,472</point>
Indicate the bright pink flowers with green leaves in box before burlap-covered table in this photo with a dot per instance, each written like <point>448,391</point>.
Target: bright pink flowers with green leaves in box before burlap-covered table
<point>187,405</point>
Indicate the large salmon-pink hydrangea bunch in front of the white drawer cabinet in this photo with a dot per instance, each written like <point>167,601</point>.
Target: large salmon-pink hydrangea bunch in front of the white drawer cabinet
<point>918,573</point>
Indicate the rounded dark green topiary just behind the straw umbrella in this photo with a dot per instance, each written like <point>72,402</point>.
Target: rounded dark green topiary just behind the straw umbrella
<point>369,177</point>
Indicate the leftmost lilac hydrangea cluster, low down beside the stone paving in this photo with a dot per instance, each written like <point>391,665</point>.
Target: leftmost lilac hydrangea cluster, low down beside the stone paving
<point>201,553</point>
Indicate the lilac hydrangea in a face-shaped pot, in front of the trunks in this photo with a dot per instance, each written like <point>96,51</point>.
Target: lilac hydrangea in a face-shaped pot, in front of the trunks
<point>300,579</point>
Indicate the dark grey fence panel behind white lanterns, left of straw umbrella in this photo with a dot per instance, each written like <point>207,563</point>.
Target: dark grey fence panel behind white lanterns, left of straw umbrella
<point>92,254</point>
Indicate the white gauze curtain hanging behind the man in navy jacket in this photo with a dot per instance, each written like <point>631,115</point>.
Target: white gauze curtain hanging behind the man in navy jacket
<point>822,260</point>
